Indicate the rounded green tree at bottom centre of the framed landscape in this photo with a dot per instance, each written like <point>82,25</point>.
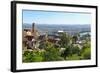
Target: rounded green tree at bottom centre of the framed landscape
<point>52,53</point>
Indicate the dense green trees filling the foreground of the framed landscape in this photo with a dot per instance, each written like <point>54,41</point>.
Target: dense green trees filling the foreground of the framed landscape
<point>50,52</point>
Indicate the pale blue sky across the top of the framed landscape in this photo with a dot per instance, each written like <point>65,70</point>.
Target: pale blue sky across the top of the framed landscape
<point>51,17</point>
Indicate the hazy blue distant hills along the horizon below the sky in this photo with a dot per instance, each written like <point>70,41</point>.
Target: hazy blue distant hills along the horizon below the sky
<point>56,27</point>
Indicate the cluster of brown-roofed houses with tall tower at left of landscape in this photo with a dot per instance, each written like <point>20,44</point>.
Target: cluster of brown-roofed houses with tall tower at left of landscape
<point>32,38</point>
